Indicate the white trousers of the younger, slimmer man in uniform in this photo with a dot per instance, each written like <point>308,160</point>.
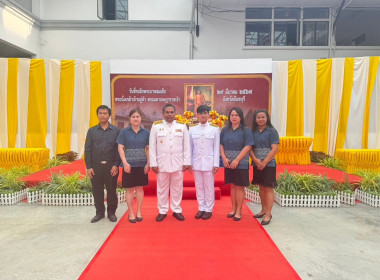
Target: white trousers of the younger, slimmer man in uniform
<point>204,185</point>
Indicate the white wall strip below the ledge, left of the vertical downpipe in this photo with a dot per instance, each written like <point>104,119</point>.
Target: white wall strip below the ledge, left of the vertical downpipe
<point>107,44</point>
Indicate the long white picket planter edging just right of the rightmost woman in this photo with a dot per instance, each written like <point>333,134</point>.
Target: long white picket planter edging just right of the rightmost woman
<point>307,200</point>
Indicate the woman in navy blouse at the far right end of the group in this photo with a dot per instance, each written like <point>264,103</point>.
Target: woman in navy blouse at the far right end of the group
<point>264,164</point>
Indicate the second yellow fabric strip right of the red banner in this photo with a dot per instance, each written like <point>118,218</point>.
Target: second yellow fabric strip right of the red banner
<point>322,105</point>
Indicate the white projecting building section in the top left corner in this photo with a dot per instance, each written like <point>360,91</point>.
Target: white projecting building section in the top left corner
<point>19,29</point>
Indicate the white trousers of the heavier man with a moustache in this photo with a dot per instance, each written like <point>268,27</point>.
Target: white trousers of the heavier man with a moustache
<point>169,181</point>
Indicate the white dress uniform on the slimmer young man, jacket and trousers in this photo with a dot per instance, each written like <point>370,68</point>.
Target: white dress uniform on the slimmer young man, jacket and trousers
<point>204,145</point>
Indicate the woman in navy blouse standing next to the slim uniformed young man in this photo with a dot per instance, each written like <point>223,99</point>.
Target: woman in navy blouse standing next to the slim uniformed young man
<point>235,143</point>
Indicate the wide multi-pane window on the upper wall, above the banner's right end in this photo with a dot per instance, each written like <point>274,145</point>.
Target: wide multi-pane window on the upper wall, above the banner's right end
<point>284,26</point>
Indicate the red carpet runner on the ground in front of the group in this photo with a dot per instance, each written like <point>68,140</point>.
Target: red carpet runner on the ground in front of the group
<point>218,248</point>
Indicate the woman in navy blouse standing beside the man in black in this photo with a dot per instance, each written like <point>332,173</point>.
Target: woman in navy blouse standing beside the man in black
<point>133,144</point>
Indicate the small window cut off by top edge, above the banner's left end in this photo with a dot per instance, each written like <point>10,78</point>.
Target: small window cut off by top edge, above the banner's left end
<point>113,9</point>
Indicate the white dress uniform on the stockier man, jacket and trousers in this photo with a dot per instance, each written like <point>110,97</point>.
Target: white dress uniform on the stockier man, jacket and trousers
<point>169,150</point>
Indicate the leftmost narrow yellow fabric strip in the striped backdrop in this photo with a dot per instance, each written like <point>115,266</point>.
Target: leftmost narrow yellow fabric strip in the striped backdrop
<point>12,113</point>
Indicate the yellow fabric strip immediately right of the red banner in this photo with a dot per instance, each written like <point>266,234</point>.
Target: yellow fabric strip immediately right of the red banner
<point>294,119</point>
